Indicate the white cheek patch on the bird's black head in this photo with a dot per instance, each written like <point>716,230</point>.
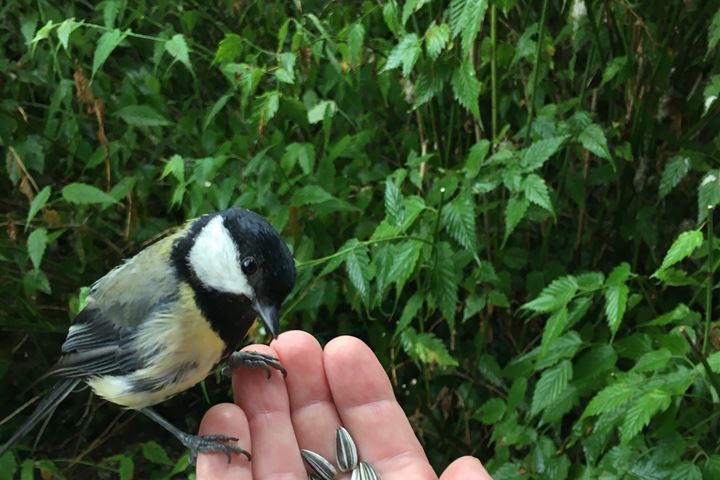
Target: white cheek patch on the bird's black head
<point>216,261</point>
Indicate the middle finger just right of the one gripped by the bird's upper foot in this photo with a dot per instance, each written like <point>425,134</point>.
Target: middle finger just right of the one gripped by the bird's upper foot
<point>311,407</point>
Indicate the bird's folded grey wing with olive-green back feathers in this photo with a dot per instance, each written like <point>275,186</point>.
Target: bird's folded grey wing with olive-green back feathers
<point>99,342</point>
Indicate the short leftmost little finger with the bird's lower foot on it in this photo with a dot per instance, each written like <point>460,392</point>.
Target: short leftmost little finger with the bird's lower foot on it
<point>225,419</point>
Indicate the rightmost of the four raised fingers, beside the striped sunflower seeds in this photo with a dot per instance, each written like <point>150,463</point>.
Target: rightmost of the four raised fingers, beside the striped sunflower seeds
<point>365,401</point>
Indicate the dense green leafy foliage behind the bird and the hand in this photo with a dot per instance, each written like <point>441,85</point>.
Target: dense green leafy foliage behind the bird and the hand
<point>510,201</point>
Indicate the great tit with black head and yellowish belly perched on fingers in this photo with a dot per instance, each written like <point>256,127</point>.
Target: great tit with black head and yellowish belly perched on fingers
<point>162,321</point>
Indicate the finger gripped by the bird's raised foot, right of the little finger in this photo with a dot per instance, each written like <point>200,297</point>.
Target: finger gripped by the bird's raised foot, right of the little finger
<point>265,402</point>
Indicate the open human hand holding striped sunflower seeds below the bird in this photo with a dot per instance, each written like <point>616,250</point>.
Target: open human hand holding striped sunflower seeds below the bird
<point>343,385</point>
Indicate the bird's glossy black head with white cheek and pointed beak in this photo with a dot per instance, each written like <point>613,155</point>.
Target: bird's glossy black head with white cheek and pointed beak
<point>237,252</point>
